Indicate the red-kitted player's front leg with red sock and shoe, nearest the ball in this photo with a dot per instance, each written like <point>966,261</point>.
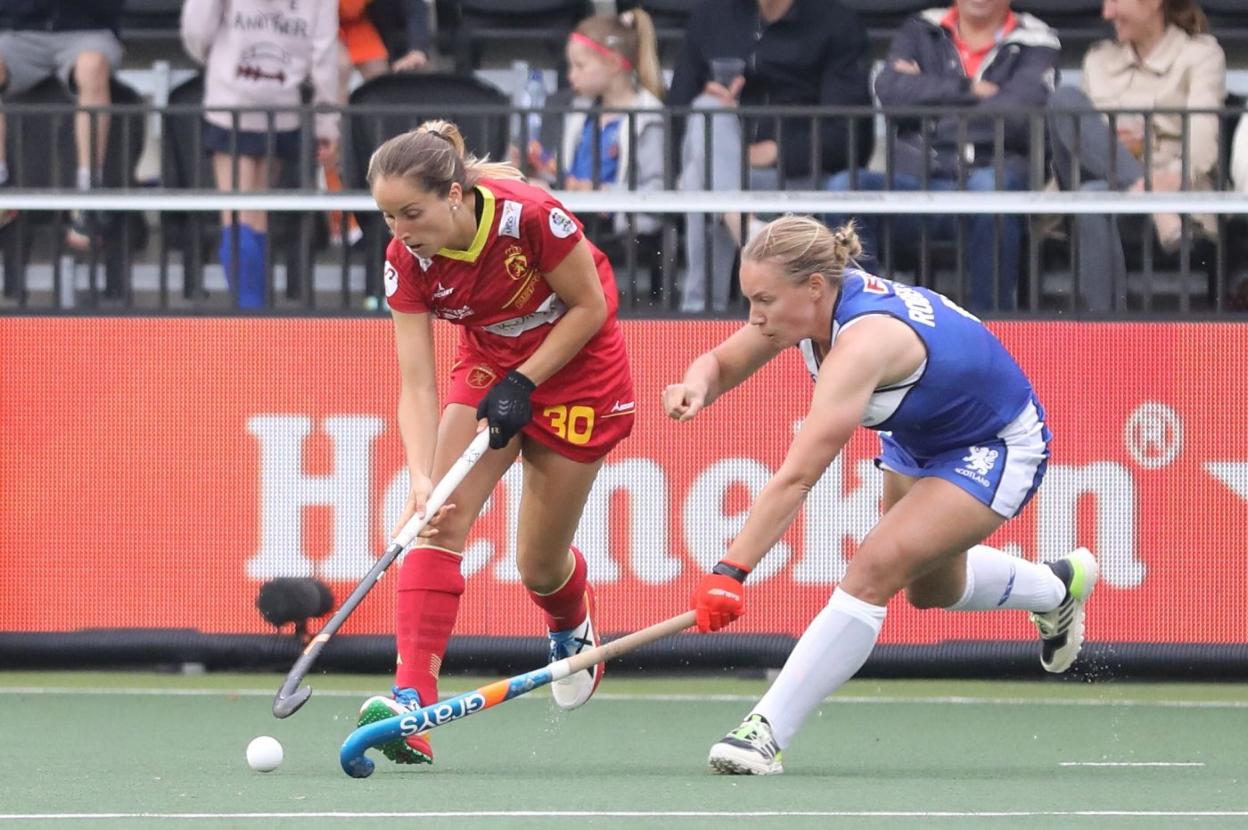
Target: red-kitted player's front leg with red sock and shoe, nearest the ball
<point>430,583</point>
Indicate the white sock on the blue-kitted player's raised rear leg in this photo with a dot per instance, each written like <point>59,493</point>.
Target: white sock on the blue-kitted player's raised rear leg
<point>995,580</point>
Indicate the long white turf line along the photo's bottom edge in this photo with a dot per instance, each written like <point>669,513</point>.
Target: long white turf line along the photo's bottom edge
<point>643,814</point>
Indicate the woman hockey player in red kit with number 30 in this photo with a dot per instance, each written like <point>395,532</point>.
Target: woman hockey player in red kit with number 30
<point>541,363</point>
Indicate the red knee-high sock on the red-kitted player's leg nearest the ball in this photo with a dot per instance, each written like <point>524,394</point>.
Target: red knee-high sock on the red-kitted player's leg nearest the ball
<point>430,586</point>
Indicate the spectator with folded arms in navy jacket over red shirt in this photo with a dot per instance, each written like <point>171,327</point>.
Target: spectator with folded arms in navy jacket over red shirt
<point>977,56</point>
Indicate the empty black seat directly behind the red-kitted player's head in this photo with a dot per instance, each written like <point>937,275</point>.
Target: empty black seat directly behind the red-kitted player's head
<point>394,104</point>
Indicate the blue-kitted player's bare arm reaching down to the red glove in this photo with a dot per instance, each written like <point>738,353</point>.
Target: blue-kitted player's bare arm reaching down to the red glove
<point>874,353</point>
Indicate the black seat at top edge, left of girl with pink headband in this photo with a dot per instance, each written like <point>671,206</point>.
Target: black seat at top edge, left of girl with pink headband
<point>466,27</point>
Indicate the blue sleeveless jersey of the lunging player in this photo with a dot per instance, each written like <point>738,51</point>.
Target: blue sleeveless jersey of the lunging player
<point>967,391</point>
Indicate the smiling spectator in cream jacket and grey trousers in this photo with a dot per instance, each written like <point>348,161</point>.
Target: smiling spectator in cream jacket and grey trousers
<point>1160,59</point>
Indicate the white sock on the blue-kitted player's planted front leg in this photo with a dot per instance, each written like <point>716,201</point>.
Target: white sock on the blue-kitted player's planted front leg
<point>831,652</point>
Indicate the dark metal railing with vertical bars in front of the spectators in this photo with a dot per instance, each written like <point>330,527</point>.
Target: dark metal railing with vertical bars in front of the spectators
<point>148,227</point>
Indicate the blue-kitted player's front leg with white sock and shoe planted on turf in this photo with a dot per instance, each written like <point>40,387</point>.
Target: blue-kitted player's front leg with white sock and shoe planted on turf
<point>933,522</point>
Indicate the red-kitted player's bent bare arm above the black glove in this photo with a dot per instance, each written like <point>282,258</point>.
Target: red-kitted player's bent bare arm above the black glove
<point>576,283</point>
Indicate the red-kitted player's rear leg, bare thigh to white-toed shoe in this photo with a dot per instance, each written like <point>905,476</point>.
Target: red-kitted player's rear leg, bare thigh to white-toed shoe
<point>555,574</point>
